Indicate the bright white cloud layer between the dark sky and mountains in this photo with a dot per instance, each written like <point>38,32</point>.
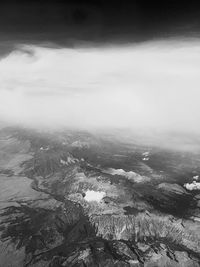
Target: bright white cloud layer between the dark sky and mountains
<point>150,85</point>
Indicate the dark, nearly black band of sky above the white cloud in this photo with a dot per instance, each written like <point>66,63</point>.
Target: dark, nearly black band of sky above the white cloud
<point>101,21</point>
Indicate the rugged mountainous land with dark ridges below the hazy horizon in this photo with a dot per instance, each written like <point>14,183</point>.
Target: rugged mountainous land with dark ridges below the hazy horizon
<point>75,199</point>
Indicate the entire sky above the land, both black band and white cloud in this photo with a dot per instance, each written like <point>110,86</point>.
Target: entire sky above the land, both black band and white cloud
<point>110,75</point>
